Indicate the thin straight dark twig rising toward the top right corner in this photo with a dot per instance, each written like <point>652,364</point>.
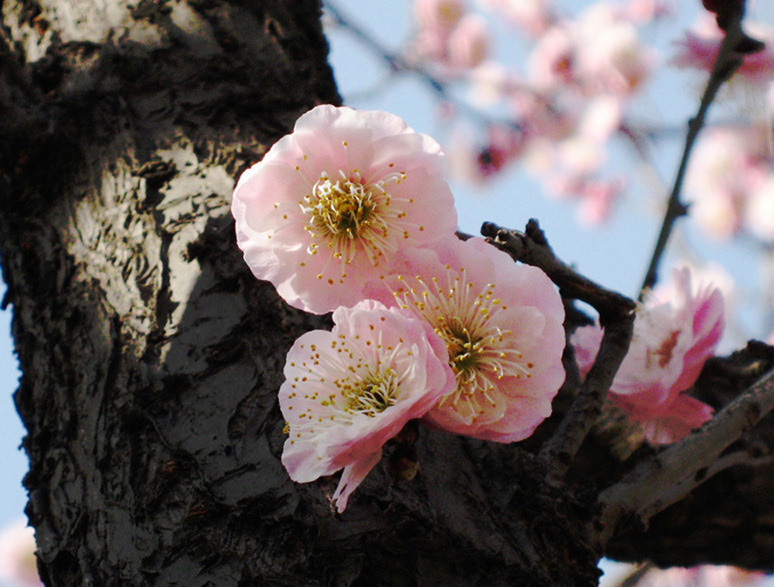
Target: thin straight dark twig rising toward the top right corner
<point>728,61</point>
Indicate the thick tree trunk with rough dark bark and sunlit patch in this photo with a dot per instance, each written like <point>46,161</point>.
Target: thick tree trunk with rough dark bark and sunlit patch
<point>151,358</point>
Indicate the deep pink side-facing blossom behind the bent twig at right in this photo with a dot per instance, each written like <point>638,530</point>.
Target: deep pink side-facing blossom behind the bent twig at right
<point>672,340</point>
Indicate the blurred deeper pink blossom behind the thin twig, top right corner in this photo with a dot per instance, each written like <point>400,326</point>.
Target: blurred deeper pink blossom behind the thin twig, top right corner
<point>699,49</point>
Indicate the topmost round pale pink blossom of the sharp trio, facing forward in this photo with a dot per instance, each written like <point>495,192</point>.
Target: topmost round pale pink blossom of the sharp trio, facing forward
<point>331,203</point>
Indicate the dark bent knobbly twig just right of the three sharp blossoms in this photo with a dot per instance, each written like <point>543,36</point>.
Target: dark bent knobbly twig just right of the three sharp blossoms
<point>616,315</point>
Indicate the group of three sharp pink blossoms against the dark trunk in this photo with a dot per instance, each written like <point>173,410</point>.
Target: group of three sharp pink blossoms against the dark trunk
<point>350,213</point>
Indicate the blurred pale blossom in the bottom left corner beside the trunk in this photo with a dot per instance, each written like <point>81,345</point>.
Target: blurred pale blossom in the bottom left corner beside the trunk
<point>18,566</point>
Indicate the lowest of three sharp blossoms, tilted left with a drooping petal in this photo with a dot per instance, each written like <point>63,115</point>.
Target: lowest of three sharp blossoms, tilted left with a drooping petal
<point>348,391</point>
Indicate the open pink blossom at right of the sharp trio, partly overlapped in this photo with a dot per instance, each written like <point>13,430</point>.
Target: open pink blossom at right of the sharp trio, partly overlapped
<point>502,325</point>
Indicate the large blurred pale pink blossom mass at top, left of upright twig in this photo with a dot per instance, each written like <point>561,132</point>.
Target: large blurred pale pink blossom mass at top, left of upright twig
<point>560,114</point>
